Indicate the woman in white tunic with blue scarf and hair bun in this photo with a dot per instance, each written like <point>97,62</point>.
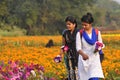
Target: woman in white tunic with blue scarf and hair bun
<point>89,66</point>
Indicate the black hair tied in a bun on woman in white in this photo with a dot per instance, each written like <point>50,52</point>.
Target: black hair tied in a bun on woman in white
<point>88,18</point>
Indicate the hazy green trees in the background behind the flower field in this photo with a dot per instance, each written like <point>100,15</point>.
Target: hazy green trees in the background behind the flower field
<point>46,17</point>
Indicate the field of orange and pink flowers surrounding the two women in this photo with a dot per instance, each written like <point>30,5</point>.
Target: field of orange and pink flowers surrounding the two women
<point>30,55</point>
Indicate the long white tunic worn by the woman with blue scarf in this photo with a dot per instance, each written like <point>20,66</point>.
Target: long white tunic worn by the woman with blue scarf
<point>91,67</point>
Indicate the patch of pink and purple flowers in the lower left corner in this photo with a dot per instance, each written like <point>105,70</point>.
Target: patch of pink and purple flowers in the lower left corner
<point>13,71</point>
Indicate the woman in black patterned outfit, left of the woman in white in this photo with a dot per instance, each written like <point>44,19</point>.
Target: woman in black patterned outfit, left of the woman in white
<point>69,40</point>
